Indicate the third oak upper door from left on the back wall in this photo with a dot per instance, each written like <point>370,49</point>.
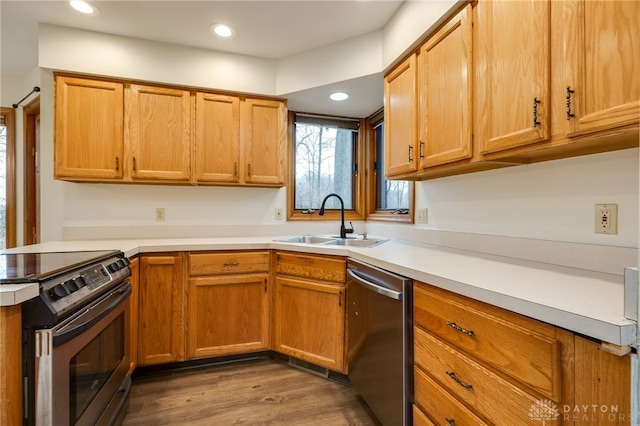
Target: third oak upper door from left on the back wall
<point>217,139</point>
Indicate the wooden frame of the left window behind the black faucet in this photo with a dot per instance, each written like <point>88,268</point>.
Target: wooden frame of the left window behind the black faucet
<point>355,214</point>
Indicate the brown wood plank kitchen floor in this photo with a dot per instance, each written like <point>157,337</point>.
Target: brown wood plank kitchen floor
<point>264,392</point>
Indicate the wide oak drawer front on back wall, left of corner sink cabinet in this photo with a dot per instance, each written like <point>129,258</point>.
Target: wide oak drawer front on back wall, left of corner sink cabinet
<point>228,262</point>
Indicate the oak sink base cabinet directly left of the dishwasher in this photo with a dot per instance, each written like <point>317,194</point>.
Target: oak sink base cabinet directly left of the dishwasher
<point>309,309</point>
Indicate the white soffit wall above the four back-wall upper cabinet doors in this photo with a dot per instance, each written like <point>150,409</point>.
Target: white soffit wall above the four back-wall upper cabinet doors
<point>88,52</point>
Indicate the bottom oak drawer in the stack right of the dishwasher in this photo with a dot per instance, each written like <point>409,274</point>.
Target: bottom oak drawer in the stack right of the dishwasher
<point>439,405</point>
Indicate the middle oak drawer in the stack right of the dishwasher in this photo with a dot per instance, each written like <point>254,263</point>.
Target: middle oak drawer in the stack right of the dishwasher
<point>499,401</point>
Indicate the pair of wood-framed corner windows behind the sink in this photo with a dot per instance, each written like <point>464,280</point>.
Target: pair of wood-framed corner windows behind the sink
<point>327,156</point>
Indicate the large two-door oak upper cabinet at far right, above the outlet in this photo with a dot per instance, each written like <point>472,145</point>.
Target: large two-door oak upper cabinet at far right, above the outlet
<point>580,67</point>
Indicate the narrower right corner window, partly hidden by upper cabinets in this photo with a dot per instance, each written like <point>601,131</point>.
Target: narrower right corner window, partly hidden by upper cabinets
<point>388,199</point>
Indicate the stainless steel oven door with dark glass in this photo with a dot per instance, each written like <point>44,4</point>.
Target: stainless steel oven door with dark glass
<point>82,363</point>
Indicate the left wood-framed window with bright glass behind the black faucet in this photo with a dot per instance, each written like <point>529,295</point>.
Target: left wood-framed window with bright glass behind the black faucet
<point>325,161</point>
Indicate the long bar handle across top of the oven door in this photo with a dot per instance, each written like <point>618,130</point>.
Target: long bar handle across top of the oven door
<point>79,323</point>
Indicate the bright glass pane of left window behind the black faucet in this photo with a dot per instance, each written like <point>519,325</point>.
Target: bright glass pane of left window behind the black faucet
<point>324,164</point>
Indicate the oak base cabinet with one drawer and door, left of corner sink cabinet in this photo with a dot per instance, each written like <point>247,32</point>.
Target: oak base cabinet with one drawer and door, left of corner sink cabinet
<point>228,303</point>
